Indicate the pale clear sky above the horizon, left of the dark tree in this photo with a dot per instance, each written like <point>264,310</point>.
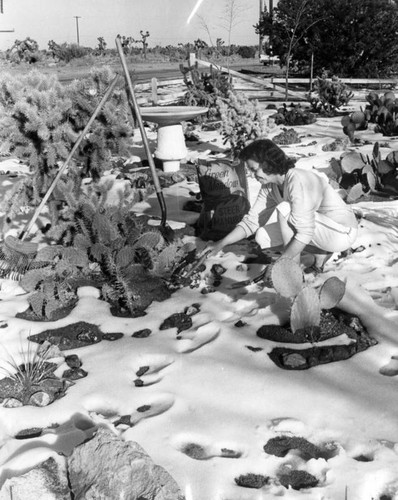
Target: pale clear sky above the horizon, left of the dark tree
<point>166,21</point>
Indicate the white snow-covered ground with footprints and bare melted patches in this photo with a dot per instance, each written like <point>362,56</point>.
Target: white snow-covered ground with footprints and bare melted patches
<point>210,393</point>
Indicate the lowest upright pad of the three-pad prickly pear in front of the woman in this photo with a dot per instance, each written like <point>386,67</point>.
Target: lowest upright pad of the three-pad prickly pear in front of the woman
<point>306,310</point>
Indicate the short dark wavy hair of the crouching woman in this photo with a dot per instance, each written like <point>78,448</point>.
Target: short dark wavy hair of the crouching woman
<point>270,156</point>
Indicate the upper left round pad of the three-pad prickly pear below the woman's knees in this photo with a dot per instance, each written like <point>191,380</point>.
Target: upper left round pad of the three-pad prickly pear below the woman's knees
<point>286,277</point>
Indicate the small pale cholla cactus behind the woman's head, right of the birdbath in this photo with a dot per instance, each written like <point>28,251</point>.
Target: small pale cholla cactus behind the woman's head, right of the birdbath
<point>242,121</point>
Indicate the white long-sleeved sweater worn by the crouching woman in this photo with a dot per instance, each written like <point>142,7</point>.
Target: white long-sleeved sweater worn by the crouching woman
<point>307,192</point>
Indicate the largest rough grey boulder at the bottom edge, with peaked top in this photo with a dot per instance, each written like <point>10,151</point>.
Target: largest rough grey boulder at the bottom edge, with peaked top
<point>108,468</point>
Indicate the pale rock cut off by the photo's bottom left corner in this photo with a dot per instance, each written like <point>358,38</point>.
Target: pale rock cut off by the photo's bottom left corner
<point>47,481</point>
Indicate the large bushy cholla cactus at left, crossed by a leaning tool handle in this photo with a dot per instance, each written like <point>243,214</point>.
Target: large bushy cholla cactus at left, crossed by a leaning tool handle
<point>40,120</point>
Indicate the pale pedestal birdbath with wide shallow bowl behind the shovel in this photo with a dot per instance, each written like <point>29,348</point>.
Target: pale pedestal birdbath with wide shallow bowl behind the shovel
<point>171,148</point>
